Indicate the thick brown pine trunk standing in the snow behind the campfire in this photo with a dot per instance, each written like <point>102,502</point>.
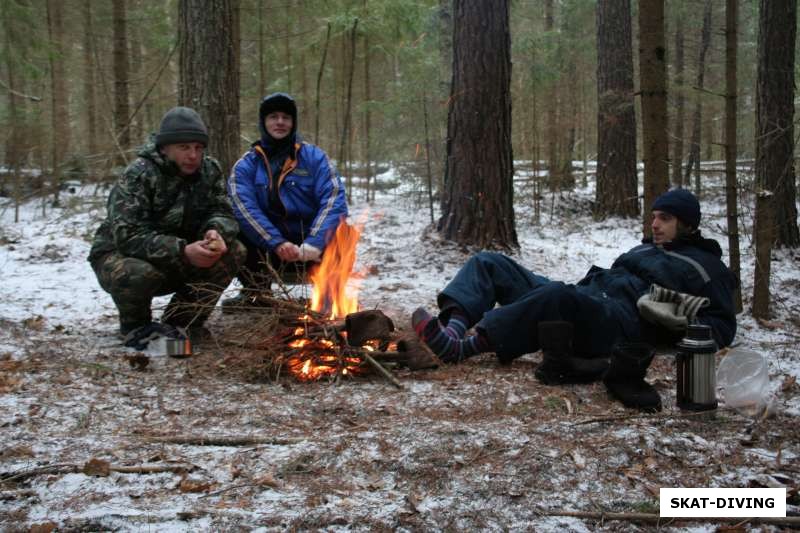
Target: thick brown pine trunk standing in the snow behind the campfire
<point>477,204</point>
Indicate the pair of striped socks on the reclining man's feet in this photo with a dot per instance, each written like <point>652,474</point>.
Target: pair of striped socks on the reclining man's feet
<point>443,341</point>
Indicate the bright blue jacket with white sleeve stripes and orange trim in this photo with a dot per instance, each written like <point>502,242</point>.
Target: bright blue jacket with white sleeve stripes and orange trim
<point>312,200</point>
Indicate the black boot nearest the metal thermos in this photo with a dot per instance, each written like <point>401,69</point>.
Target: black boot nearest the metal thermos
<point>625,377</point>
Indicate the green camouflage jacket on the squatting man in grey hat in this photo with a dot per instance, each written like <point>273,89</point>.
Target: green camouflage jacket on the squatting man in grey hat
<point>153,212</point>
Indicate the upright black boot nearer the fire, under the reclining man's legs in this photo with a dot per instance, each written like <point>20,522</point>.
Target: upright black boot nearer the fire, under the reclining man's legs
<point>559,365</point>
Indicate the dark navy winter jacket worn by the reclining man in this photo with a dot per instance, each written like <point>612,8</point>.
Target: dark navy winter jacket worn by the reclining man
<point>691,265</point>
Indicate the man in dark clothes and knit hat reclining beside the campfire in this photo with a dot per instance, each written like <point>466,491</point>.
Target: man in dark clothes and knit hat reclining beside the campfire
<point>579,322</point>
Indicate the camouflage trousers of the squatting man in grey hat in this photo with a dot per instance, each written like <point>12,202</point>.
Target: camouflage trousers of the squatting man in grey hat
<point>132,284</point>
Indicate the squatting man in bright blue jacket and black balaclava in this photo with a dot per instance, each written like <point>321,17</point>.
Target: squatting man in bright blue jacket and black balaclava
<point>287,199</point>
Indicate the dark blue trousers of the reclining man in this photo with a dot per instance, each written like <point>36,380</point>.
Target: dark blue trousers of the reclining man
<point>526,299</point>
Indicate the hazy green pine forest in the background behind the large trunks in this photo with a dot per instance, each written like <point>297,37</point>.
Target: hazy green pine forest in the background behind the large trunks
<point>77,77</point>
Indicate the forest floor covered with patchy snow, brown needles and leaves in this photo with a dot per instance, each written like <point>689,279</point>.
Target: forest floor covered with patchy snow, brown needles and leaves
<point>89,443</point>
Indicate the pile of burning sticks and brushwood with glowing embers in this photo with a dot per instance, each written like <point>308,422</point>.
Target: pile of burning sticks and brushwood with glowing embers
<point>288,339</point>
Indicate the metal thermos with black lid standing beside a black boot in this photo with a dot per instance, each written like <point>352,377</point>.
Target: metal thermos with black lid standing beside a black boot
<point>697,383</point>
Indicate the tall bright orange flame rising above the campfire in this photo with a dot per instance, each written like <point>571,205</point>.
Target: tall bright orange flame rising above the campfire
<point>330,292</point>
